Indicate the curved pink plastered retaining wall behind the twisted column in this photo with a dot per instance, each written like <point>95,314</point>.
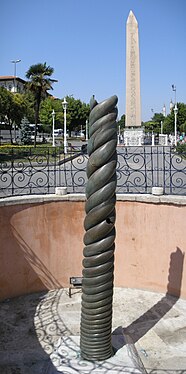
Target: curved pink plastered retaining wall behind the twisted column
<point>41,246</point>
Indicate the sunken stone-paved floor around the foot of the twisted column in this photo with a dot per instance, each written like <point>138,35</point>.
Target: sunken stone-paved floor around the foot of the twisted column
<point>39,334</point>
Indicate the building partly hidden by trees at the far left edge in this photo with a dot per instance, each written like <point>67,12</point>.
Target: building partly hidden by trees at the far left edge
<point>12,83</point>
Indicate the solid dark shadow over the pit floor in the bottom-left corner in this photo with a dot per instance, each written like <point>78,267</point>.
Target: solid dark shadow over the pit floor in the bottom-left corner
<point>20,349</point>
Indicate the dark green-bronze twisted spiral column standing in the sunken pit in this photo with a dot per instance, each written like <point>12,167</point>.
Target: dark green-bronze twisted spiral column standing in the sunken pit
<point>98,262</point>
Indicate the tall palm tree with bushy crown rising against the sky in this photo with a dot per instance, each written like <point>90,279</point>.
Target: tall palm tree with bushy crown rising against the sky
<point>39,84</point>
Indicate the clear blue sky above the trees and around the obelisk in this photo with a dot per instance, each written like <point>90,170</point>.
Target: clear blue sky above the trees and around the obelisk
<point>84,41</point>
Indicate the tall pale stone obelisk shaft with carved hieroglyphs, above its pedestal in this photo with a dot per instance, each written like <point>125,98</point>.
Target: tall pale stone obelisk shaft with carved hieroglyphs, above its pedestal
<point>133,102</point>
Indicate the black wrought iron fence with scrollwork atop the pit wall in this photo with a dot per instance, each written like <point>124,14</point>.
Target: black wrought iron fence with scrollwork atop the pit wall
<point>138,170</point>
